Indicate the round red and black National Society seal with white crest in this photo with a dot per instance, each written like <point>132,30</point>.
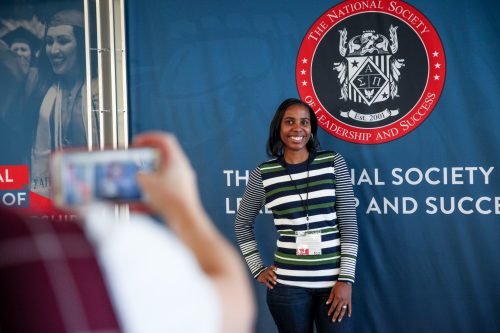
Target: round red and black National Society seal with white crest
<point>372,71</point>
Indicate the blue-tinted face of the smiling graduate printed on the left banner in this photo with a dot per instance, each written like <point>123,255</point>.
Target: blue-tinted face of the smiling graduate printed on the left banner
<point>61,46</point>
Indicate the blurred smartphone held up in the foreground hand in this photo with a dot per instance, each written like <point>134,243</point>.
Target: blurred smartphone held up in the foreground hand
<point>82,177</point>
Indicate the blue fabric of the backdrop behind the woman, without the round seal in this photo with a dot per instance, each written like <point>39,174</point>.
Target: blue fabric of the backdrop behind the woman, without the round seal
<point>213,73</point>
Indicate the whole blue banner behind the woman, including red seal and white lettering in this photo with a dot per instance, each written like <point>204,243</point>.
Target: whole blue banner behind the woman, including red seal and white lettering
<point>407,92</point>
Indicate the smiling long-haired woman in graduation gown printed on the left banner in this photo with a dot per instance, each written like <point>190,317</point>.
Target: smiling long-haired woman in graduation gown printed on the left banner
<point>58,93</point>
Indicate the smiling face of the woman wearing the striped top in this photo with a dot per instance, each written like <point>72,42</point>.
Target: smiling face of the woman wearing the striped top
<point>295,128</point>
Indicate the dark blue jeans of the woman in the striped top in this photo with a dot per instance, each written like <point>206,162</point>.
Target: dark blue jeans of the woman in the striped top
<point>296,310</point>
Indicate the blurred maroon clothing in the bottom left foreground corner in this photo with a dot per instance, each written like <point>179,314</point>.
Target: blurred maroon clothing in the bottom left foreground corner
<point>50,280</point>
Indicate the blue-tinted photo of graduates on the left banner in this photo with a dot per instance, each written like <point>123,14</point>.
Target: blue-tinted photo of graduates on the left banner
<point>43,105</point>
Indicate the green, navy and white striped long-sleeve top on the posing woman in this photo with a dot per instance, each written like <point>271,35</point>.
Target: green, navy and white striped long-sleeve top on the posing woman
<point>315,195</point>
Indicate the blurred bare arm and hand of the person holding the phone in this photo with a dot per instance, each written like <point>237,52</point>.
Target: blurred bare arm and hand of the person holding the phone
<point>173,193</point>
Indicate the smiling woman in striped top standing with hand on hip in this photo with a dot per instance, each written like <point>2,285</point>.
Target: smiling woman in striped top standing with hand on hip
<point>310,195</point>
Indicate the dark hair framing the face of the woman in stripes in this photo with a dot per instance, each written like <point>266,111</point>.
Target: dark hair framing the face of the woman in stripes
<point>274,143</point>
